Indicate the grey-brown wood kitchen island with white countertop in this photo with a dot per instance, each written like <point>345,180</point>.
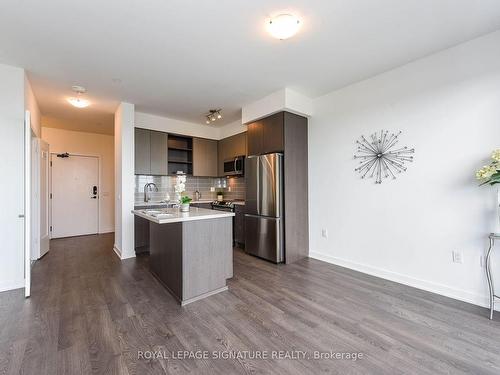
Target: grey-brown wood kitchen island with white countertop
<point>191,253</point>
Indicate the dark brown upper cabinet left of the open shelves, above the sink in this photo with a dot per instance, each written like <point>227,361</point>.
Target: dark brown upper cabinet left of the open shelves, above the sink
<point>151,152</point>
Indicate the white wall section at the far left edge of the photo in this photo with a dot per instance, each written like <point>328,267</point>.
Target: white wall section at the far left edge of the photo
<point>12,184</point>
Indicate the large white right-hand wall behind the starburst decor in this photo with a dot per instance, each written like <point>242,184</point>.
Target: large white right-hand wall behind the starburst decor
<point>448,107</point>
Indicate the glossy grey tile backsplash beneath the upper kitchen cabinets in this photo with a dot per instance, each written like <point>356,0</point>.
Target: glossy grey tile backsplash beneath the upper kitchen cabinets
<point>233,187</point>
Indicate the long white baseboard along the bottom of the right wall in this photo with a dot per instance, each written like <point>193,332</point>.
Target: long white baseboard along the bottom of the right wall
<point>429,286</point>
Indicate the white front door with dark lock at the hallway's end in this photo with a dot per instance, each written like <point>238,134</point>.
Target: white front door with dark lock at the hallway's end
<point>75,200</point>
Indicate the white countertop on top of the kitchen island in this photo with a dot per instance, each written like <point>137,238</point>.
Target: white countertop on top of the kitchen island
<point>174,215</point>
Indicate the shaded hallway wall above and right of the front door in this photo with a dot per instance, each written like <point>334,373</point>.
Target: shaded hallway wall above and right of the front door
<point>96,145</point>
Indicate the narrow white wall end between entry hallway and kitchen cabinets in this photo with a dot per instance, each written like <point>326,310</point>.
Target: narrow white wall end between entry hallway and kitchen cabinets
<point>124,181</point>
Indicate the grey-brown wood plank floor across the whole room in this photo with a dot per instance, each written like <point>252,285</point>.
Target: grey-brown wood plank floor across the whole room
<point>90,313</point>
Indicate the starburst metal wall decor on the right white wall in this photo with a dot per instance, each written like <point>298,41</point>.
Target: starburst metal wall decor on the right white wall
<point>380,157</point>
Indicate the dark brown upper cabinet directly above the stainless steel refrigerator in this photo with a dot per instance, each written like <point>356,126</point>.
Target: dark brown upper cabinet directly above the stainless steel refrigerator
<point>266,135</point>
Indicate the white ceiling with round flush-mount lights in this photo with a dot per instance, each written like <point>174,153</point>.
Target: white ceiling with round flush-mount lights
<point>179,58</point>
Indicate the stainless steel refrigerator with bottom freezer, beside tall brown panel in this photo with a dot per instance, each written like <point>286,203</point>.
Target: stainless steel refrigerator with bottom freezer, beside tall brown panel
<point>264,207</point>
